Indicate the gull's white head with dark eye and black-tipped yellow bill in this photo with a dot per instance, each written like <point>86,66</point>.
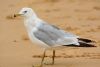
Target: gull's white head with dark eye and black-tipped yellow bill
<point>26,12</point>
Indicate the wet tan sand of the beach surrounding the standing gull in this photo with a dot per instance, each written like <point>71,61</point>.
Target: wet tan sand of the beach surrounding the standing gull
<point>81,17</point>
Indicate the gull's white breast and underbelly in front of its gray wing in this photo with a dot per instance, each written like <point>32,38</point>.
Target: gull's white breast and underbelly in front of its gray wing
<point>30,26</point>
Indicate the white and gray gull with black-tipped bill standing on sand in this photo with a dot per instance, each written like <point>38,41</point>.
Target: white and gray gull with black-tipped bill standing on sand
<point>47,35</point>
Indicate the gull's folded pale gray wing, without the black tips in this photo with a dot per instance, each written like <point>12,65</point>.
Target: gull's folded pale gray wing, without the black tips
<point>51,34</point>
